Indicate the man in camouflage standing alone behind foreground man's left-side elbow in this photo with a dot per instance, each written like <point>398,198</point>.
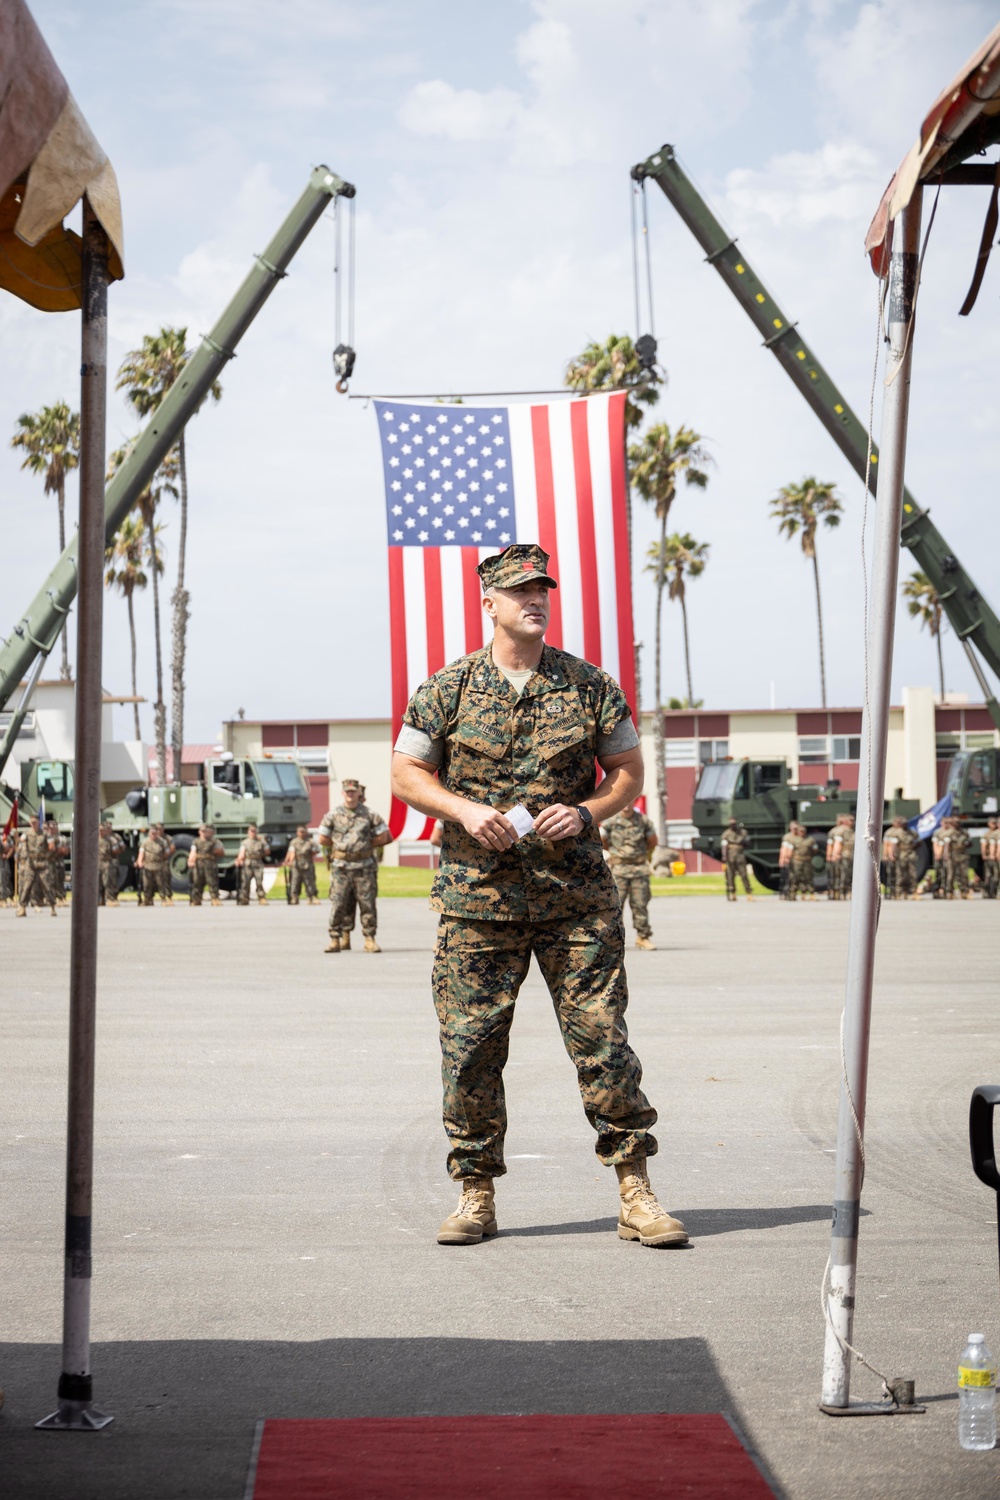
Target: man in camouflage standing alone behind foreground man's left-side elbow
<point>353,833</point>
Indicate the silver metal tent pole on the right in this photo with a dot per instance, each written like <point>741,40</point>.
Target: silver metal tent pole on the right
<point>864,914</point>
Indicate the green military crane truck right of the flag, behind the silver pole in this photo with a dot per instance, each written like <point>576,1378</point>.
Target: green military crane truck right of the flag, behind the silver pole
<point>762,797</point>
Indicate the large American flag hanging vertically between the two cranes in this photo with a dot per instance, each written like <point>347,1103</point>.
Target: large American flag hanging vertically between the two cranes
<point>464,482</point>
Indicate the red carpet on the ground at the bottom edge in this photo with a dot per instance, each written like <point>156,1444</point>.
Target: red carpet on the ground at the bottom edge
<point>506,1459</point>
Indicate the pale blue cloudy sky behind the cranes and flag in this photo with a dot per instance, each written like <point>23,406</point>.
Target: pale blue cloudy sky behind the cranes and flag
<point>491,148</point>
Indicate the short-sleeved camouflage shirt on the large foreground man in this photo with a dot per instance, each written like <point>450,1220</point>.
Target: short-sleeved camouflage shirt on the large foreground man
<point>537,749</point>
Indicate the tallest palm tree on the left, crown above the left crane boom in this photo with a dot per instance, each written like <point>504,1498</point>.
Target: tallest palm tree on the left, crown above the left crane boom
<point>146,376</point>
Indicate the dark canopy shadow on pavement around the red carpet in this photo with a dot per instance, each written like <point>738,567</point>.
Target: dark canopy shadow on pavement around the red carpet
<point>185,1412</point>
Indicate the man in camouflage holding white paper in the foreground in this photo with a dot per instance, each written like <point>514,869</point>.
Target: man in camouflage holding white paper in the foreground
<point>515,730</point>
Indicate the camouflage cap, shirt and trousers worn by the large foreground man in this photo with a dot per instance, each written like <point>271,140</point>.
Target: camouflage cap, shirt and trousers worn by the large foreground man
<point>555,899</point>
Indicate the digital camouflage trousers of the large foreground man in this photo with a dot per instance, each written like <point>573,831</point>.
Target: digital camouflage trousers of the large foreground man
<point>478,973</point>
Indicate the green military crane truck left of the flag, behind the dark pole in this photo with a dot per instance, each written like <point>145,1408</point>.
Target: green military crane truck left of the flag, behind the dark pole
<point>230,796</point>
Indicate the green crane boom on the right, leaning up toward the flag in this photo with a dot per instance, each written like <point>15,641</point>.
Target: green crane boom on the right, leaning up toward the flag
<point>969,614</point>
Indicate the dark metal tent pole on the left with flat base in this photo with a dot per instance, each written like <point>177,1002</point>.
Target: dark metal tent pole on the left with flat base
<point>76,1388</point>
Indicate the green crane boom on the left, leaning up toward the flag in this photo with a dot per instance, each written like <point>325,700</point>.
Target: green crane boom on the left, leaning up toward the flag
<point>38,628</point>
